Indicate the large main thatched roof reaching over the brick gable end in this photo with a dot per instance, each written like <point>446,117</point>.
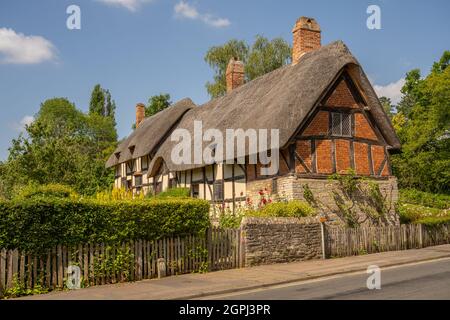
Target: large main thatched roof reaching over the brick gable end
<point>281,99</point>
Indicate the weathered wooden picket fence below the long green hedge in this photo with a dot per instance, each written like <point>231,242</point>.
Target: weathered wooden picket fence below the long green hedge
<point>135,260</point>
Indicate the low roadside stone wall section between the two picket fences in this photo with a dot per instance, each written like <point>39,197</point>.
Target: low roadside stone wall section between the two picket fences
<point>280,240</point>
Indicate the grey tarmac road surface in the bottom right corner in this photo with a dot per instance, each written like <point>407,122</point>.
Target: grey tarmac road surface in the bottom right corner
<point>425,280</point>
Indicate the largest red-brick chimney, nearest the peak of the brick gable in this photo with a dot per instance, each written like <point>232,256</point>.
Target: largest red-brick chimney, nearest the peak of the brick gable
<point>307,37</point>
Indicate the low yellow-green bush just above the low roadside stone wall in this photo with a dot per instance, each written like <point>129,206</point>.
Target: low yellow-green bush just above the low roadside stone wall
<point>293,208</point>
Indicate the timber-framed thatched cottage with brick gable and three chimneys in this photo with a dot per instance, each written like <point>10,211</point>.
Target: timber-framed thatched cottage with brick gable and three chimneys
<point>328,116</point>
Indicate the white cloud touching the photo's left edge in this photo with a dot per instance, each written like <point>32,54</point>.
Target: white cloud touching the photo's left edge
<point>18,48</point>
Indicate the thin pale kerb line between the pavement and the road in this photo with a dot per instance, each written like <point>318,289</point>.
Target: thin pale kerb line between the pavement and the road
<point>307,281</point>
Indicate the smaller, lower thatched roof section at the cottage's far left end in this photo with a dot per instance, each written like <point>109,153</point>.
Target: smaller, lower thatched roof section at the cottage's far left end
<point>150,133</point>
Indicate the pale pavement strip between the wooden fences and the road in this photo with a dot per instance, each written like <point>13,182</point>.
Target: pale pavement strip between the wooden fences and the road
<point>196,286</point>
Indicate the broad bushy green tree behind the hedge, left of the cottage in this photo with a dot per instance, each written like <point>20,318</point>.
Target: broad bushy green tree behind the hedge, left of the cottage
<point>61,146</point>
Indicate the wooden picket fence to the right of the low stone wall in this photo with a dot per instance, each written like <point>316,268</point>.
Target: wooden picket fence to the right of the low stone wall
<point>342,242</point>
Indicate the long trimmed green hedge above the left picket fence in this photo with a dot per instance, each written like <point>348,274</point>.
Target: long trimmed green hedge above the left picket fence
<point>33,225</point>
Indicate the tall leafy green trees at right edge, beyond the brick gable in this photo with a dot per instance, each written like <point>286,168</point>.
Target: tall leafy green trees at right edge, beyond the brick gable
<point>423,125</point>
